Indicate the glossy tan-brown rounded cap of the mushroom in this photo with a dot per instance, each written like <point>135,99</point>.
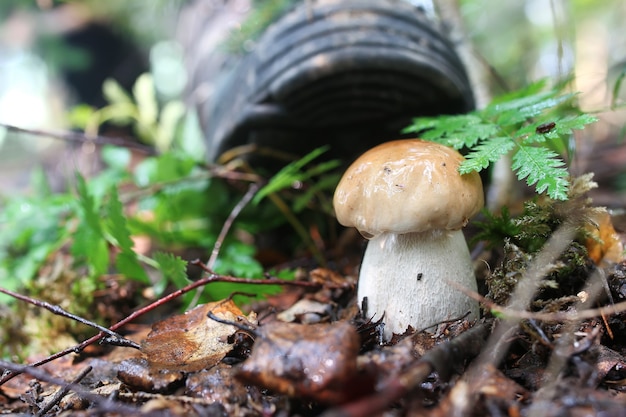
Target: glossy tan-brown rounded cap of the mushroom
<point>407,186</point>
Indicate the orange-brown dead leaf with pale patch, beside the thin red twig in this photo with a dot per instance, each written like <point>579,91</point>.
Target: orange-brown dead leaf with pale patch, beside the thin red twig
<point>193,341</point>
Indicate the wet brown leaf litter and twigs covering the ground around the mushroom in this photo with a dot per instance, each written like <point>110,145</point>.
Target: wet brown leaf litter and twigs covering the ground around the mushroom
<point>310,352</point>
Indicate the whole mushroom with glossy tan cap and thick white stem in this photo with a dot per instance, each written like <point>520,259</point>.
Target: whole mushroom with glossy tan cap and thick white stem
<point>409,199</point>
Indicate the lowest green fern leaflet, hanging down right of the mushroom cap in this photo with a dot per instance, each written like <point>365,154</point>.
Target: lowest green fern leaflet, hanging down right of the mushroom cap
<point>544,168</point>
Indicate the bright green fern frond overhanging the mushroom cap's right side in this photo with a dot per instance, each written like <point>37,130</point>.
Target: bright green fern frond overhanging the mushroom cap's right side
<point>533,125</point>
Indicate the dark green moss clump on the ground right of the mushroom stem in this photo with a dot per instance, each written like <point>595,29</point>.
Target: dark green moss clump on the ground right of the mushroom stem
<point>523,236</point>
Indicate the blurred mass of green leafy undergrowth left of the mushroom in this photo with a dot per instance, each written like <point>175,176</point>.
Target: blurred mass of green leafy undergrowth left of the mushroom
<point>171,199</point>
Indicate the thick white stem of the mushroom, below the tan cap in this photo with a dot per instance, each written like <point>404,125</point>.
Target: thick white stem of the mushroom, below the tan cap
<point>405,278</point>
